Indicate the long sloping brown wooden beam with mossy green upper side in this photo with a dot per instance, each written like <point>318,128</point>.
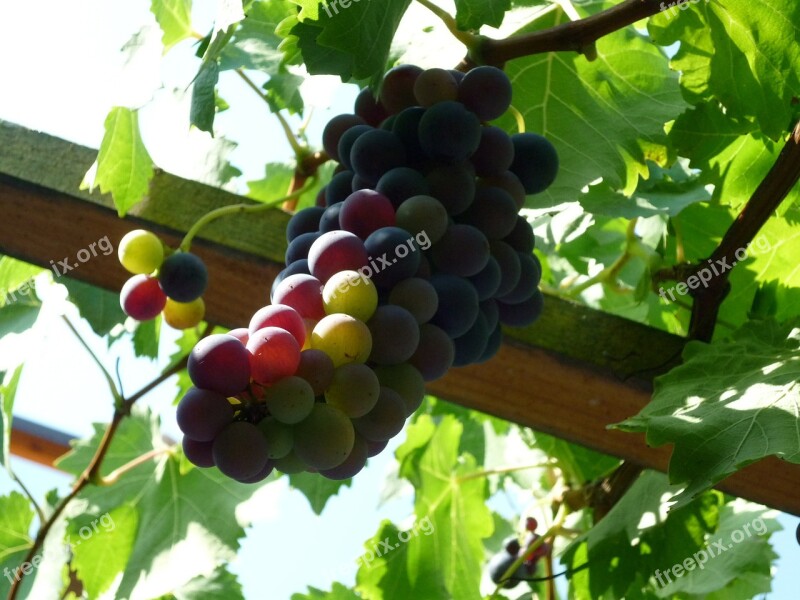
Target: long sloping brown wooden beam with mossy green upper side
<point>553,376</point>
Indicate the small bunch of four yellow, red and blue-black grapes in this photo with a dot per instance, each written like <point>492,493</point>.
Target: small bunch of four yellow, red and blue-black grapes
<point>171,285</point>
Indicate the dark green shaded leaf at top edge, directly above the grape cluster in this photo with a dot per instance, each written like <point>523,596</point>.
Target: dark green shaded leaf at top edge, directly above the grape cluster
<point>351,41</point>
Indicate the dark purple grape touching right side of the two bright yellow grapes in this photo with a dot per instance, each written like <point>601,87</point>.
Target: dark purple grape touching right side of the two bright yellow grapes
<point>395,335</point>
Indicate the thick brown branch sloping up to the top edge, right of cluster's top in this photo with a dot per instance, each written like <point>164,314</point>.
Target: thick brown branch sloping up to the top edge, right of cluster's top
<point>577,36</point>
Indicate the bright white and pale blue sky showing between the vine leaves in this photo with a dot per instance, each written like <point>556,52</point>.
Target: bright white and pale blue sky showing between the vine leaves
<point>62,71</point>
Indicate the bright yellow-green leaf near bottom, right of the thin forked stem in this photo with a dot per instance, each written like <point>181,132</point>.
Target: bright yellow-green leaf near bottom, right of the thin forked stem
<point>101,546</point>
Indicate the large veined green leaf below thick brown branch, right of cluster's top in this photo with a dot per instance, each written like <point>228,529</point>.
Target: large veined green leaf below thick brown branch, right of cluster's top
<point>605,117</point>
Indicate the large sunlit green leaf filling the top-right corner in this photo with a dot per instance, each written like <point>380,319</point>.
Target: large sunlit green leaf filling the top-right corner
<point>737,52</point>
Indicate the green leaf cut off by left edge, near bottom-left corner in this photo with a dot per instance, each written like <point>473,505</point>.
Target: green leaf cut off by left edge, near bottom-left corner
<point>16,518</point>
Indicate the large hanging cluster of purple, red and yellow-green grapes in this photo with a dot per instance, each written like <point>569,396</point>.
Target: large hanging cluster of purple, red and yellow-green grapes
<point>411,259</point>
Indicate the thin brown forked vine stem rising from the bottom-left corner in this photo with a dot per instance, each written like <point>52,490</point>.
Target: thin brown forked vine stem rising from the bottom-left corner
<point>91,475</point>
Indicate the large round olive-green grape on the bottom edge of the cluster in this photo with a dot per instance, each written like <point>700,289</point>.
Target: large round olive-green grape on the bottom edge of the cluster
<point>325,438</point>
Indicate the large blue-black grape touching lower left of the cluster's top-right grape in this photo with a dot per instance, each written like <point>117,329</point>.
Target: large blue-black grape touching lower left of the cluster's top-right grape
<point>449,132</point>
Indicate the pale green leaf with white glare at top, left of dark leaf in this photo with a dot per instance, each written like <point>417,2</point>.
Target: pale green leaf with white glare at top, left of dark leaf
<point>255,43</point>
